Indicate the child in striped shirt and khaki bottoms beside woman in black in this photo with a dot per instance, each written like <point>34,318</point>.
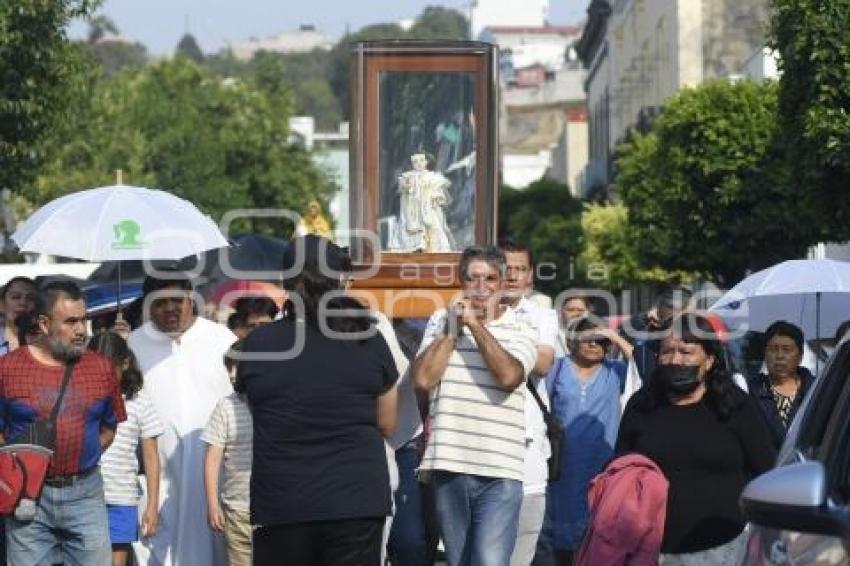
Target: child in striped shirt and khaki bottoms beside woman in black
<point>229,437</point>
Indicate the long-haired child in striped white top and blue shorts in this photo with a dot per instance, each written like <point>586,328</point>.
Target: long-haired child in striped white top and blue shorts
<point>119,465</point>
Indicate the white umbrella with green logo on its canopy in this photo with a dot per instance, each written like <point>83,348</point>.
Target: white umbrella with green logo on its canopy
<point>119,222</point>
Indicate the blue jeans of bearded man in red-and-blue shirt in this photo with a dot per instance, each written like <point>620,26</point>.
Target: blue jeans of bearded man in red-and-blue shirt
<point>70,526</point>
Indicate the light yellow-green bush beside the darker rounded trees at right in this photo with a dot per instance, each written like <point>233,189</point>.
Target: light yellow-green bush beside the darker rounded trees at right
<point>609,258</point>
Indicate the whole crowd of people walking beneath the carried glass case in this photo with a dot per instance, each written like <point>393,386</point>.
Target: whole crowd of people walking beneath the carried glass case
<point>325,433</point>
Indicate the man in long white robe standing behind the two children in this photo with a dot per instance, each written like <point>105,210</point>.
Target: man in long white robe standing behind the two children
<point>181,357</point>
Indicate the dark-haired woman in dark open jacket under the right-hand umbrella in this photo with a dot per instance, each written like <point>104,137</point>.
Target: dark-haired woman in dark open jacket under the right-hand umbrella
<point>780,392</point>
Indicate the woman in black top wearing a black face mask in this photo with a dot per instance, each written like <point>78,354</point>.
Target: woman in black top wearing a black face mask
<point>707,437</point>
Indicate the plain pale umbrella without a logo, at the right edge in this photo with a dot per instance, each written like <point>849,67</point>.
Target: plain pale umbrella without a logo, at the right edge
<point>814,294</point>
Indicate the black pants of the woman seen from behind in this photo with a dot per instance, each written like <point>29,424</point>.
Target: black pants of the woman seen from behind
<point>350,542</point>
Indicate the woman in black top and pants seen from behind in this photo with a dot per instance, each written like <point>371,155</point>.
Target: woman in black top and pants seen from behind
<point>320,386</point>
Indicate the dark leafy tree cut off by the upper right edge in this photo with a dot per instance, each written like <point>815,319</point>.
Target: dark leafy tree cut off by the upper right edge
<point>812,39</point>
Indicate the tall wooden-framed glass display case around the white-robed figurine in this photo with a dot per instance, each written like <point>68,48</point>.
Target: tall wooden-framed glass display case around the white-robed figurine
<point>392,81</point>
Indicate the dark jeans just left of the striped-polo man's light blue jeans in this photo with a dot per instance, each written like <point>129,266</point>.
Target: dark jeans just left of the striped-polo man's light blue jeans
<point>409,543</point>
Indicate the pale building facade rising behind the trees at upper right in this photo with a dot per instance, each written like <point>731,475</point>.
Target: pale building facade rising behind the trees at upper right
<point>638,53</point>
